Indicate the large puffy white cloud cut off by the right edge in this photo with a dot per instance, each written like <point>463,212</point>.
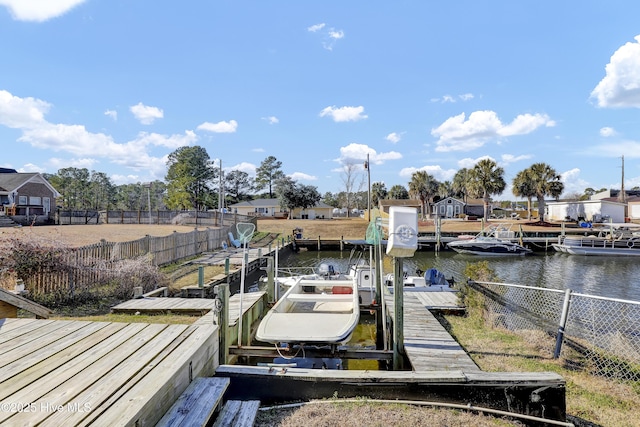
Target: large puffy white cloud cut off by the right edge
<point>620,86</point>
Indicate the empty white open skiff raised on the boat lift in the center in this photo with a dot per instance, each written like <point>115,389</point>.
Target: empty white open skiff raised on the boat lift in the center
<point>313,311</point>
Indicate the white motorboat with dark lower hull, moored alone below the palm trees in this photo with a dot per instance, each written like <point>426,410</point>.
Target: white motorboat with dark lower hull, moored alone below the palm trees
<point>496,241</point>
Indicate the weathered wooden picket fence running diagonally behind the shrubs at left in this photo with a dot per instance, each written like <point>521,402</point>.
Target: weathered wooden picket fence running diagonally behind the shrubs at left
<point>92,266</point>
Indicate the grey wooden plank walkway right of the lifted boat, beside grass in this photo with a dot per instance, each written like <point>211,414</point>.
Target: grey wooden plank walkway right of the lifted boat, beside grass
<point>428,345</point>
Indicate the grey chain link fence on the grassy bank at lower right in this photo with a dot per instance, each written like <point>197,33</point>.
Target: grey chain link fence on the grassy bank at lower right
<point>605,331</point>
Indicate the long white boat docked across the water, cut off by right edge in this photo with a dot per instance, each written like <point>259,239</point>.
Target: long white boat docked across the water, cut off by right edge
<point>605,239</point>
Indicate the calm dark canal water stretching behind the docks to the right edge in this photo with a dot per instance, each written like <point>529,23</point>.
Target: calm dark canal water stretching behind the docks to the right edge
<point>613,277</point>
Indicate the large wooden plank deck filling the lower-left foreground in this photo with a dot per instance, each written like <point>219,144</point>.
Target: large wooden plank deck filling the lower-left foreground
<point>62,372</point>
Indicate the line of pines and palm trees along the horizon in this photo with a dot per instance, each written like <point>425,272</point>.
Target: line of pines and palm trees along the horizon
<point>194,181</point>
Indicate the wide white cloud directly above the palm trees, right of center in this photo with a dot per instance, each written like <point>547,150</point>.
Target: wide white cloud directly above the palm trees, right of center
<point>460,134</point>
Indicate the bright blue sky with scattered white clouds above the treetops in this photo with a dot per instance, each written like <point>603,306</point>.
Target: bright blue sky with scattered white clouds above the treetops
<point>115,86</point>
